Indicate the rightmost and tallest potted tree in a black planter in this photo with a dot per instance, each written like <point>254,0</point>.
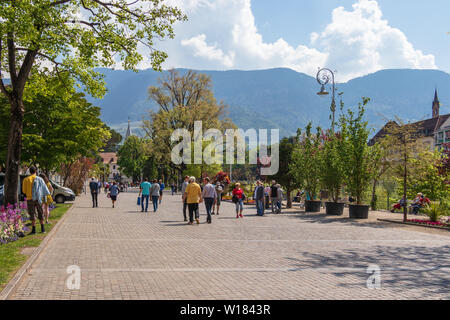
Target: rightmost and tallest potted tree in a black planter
<point>357,158</point>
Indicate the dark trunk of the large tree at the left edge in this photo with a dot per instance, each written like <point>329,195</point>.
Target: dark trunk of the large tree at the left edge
<point>14,149</point>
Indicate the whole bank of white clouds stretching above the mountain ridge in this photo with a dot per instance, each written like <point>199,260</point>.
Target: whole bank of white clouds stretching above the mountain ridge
<point>222,34</point>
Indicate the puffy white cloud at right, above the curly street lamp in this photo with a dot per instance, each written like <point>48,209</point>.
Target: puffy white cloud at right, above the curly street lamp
<point>361,42</point>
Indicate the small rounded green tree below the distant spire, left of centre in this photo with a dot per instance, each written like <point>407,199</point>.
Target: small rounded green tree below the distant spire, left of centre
<point>132,156</point>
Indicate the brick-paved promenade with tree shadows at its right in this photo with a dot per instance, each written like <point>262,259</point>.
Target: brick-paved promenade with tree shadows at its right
<point>125,254</point>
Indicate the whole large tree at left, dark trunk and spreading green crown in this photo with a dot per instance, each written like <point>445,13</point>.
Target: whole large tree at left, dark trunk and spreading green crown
<point>74,37</point>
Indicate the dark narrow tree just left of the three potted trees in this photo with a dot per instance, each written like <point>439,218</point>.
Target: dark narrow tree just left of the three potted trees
<point>284,176</point>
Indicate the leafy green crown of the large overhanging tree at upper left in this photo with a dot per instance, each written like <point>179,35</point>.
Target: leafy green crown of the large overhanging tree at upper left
<point>79,35</point>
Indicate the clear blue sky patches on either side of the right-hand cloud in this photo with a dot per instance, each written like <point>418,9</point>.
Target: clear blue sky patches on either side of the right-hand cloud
<point>425,23</point>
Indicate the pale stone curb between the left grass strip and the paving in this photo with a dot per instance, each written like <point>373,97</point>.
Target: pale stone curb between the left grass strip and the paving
<point>12,284</point>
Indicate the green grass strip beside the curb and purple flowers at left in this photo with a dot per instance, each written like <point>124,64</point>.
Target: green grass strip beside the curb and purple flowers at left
<point>11,258</point>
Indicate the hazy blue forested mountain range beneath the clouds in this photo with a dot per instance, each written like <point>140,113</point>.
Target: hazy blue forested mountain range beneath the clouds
<point>283,98</point>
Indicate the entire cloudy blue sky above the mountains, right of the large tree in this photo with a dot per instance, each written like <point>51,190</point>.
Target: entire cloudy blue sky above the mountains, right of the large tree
<point>353,37</point>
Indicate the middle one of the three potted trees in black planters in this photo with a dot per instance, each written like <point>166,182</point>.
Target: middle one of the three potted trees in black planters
<point>332,170</point>
